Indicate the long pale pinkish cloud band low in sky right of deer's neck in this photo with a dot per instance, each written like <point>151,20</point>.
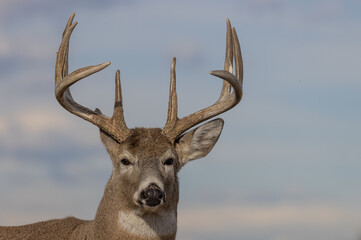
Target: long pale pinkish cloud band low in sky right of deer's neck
<point>232,217</point>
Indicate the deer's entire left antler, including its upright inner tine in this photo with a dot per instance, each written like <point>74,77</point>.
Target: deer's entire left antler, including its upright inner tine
<point>114,126</point>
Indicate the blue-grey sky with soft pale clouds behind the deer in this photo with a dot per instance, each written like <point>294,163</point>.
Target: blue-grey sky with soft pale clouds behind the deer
<point>287,165</point>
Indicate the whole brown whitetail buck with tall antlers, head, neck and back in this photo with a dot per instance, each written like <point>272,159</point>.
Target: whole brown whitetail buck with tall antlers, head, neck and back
<point>141,197</point>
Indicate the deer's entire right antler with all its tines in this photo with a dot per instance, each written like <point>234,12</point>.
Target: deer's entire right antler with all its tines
<point>174,126</point>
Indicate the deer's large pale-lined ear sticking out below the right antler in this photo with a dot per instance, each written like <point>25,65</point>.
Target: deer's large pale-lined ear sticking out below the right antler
<point>199,142</point>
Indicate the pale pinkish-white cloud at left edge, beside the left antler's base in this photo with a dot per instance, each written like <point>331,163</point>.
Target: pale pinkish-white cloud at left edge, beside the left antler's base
<point>36,130</point>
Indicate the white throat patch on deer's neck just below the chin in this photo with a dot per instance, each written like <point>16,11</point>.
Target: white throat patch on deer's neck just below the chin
<point>148,226</point>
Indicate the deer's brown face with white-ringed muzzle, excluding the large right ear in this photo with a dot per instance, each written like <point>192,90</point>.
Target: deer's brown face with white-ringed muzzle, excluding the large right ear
<point>145,167</point>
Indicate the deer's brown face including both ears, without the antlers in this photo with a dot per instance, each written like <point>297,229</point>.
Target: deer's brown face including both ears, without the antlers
<point>146,164</point>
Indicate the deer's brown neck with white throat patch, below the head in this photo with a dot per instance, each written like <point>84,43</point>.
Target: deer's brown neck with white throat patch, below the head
<point>115,220</point>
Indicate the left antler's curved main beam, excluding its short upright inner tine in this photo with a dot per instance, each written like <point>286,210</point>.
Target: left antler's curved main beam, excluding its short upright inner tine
<point>63,81</point>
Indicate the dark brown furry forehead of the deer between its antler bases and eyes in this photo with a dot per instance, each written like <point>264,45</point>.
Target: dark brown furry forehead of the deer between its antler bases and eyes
<point>147,141</point>
